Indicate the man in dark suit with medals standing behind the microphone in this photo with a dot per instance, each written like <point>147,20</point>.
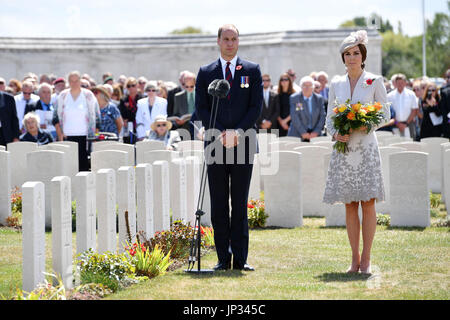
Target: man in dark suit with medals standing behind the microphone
<point>236,113</point>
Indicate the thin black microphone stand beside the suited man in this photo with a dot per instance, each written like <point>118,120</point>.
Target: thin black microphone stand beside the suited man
<point>196,242</point>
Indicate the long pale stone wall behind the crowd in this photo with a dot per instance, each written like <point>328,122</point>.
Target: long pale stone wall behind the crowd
<point>164,57</point>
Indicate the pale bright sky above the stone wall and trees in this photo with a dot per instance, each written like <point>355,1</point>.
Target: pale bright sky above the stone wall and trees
<point>137,18</point>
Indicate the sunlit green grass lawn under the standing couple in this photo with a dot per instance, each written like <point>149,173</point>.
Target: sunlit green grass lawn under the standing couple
<point>301,263</point>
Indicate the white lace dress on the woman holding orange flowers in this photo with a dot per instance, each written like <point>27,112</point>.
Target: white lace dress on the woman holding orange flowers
<point>356,175</point>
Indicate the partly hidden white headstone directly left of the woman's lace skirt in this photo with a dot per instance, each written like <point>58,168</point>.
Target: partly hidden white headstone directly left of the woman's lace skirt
<point>313,179</point>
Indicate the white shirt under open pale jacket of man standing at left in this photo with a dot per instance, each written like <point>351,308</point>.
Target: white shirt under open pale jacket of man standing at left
<point>75,116</point>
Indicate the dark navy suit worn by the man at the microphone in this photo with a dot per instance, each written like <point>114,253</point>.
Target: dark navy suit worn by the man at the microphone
<point>240,111</point>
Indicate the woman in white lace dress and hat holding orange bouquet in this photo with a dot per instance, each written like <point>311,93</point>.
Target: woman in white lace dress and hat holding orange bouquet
<point>356,176</point>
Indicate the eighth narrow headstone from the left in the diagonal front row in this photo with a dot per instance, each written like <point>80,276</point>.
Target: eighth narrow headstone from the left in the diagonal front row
<point>178,189</point>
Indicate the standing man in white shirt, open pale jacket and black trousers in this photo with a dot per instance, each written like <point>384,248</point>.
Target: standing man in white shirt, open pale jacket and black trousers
<point>77,117</point>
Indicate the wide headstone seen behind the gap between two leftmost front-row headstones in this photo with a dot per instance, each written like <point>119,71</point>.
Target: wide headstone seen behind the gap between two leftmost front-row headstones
<point>44,166</point>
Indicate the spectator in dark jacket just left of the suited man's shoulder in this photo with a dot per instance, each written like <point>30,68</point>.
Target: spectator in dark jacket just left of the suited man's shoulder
<point>184,101</point>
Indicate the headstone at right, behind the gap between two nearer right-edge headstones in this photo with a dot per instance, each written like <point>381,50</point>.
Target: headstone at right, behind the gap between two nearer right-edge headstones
<point>433,148</point>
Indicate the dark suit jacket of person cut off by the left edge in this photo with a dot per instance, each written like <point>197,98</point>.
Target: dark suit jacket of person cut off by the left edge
<point>9,123</point>
